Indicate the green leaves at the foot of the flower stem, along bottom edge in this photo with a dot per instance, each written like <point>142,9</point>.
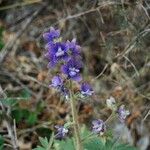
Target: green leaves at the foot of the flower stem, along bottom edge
<point>91,142</point>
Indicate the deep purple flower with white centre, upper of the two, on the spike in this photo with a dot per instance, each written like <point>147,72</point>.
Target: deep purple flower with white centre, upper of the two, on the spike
<point>57,52</point>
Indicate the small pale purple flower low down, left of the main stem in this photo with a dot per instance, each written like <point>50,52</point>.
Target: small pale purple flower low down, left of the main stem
<point>61,132</point>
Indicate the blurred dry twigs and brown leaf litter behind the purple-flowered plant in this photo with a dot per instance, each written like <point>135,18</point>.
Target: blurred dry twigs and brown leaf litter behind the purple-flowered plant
<point>115,40</point>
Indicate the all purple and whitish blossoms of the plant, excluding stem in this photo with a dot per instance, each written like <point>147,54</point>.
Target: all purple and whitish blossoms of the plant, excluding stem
<point>67,55</point>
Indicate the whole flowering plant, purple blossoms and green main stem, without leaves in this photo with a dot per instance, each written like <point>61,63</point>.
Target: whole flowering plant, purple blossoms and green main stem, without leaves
<point>66,55</point>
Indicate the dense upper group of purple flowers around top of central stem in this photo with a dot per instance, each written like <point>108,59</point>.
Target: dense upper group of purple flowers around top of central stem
<point>68,55</point>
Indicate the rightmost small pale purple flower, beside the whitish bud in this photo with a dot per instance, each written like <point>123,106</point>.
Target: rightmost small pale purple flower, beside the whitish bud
<point>122,113</point>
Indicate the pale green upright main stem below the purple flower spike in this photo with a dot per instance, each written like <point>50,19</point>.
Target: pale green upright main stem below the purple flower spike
<point>75,123</point>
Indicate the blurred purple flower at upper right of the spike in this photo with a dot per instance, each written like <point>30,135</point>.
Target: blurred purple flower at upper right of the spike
<point>73,47</point>
